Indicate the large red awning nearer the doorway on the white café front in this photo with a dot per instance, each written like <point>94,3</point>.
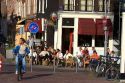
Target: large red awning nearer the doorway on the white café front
<point>86,26</point>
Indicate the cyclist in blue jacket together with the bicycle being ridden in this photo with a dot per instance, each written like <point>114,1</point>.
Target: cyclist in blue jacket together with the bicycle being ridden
<point>20,51</point>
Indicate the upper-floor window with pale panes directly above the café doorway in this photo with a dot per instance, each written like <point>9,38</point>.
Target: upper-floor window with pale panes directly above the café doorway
<point>69,4</point>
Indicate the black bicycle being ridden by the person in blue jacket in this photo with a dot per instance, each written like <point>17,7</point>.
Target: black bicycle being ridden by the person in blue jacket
<point>20,73</point>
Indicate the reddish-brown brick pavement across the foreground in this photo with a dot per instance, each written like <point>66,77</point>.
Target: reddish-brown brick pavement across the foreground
<point>45,75</point>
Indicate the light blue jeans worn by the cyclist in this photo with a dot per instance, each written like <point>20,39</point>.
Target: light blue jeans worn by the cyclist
<point>23,62</point>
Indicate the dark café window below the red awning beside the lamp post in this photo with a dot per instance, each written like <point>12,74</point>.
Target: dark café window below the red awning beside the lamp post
<point>99,41</point>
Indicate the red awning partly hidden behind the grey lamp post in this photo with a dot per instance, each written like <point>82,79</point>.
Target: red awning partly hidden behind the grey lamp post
<point>100,27</point>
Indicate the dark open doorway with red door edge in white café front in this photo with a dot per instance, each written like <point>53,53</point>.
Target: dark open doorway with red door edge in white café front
<point>67,39</point>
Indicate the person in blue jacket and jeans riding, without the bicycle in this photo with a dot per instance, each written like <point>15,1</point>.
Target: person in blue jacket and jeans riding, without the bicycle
<point>21,50</point>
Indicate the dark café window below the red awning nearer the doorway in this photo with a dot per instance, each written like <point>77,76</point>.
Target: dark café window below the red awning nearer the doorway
<point>85,40</point>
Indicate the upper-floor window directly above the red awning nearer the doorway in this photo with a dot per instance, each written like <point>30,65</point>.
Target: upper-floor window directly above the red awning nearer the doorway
<point>86,5</point>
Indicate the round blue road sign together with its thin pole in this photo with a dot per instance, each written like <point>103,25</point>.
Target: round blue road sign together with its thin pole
<point>33,28</point>
